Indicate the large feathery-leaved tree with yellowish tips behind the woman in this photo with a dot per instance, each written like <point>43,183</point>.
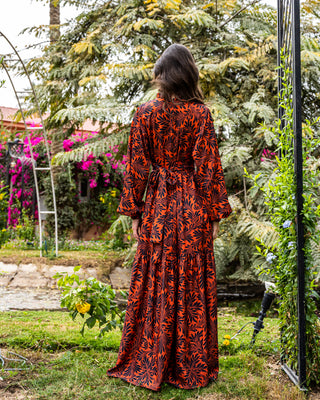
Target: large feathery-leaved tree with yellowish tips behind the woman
<point>101,68</point>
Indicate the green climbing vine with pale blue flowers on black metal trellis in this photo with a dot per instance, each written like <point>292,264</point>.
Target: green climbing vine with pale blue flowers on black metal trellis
<point>281,254</point>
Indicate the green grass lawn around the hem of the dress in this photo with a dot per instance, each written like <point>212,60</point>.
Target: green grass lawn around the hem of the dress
<point>67,366</point>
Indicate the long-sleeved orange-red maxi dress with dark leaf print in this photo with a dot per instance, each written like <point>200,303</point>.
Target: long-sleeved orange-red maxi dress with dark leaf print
<point>170,329</point>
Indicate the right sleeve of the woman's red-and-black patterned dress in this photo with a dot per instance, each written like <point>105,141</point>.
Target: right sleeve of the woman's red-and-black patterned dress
<point>209,174</point>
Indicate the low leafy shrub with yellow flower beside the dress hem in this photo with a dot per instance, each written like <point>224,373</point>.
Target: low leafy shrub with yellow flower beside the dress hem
<point>92,299</point>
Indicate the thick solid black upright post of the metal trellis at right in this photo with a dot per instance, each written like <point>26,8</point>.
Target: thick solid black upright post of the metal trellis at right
<point>298,158</point>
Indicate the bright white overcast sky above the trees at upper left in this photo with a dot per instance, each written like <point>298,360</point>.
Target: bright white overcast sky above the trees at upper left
<point>14,17</point>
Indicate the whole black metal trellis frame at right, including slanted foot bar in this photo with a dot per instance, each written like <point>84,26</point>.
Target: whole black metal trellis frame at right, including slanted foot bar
<point>289,43</point>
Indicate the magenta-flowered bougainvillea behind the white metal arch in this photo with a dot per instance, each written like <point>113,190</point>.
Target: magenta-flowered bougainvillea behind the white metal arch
<point>104,175</point>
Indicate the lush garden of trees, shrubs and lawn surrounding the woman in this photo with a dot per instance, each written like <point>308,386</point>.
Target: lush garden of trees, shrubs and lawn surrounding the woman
<point>99,68</point>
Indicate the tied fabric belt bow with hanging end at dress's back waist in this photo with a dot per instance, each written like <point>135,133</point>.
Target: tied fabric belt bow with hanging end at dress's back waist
<point>159,179</point>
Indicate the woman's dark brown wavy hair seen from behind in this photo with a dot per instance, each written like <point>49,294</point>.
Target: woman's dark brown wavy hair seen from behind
<point>176,74</point>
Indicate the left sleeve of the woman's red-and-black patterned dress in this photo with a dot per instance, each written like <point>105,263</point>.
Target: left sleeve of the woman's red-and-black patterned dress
<point>137,170</point>
